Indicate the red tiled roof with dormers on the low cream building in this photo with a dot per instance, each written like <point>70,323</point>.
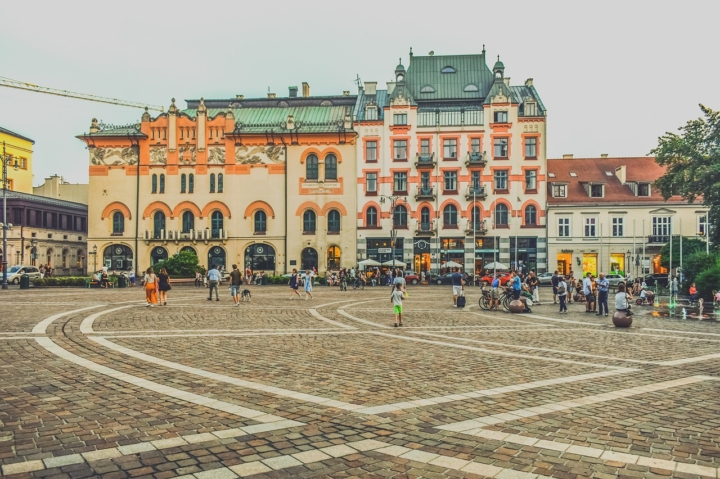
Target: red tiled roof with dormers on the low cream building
<point>592,170</point>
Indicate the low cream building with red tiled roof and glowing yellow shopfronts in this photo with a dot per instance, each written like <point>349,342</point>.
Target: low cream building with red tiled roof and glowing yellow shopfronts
<point>605,216</point>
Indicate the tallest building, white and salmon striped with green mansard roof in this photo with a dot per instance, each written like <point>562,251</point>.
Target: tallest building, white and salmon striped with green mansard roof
<point>460,153</point>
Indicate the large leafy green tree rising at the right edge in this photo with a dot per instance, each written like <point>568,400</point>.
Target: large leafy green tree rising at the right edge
<point>692,161</point>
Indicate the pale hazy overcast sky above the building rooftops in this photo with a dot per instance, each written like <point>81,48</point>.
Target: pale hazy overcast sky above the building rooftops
<point>613,75</point>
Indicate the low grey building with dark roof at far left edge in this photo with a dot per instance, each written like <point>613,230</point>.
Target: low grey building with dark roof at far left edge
<point>47,231</point>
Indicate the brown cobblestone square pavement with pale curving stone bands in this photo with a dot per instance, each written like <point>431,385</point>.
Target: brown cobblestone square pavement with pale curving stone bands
<point>95,384</point>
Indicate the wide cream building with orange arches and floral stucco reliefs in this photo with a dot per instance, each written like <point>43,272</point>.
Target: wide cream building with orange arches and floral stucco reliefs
<point>266,183</point>
